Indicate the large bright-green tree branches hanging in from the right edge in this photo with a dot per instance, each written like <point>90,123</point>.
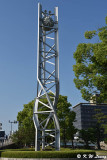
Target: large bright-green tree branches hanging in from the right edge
<point>91,66</point>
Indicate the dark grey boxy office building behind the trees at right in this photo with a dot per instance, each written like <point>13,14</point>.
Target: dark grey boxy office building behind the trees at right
<point>85,112</point>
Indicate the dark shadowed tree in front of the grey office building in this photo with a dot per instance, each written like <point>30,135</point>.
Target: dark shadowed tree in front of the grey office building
<point>97,133</point>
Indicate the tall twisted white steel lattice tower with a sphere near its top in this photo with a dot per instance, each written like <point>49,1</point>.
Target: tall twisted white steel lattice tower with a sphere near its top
<point>45,117</point>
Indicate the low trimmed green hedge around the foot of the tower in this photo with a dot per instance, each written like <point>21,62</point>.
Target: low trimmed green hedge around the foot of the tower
<point>45,154</point>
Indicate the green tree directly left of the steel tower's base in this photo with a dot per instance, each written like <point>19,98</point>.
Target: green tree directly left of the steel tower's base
<point>26,131</point>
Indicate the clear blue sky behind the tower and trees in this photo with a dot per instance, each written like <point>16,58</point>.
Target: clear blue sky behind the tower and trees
<point>18,49</point>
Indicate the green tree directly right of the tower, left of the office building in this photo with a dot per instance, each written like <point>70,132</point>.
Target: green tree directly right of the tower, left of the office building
<point>66,119</point>
